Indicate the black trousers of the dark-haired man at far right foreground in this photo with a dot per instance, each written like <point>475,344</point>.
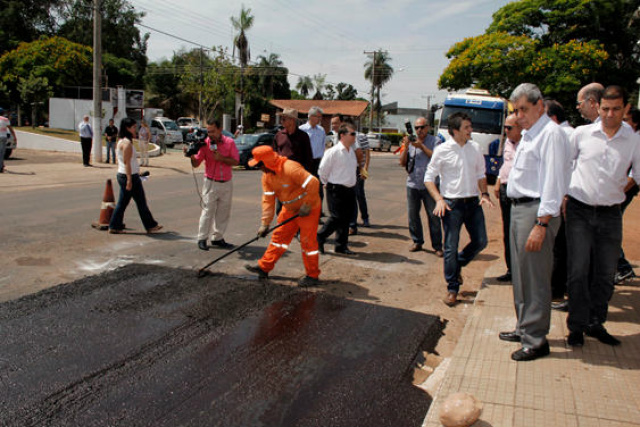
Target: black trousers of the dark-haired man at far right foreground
<point>594,235</point>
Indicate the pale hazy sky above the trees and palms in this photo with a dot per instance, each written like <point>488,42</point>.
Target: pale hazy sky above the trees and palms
<point>329,36</point>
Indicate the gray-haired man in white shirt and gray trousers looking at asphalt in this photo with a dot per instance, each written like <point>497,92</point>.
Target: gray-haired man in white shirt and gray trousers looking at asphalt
<point>537,184</point>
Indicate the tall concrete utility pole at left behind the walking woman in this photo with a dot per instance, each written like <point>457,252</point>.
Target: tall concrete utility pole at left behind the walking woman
<point>97,89</point>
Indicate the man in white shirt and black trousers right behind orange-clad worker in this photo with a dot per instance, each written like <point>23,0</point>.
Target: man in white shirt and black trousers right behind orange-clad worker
<point>337,172</point>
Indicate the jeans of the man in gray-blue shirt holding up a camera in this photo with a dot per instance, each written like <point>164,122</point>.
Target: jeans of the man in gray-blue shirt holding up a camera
<point>415,199</point>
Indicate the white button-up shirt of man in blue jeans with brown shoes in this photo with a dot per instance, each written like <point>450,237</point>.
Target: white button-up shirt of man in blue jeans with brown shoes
<point>459,168</point>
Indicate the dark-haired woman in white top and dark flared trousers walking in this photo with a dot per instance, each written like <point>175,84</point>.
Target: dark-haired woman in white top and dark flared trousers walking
<point>130,184</point>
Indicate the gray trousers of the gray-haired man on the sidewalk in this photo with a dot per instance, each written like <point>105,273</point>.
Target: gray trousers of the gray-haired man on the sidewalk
<point>531,273</point>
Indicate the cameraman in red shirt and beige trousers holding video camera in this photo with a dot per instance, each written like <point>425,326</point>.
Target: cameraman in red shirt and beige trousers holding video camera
<point>219,154</point>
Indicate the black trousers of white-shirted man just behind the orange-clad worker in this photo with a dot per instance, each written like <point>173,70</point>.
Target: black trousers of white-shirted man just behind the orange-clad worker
<point>341,201</point>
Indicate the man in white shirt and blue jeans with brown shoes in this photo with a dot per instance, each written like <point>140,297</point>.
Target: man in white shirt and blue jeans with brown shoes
<point>460,165</point>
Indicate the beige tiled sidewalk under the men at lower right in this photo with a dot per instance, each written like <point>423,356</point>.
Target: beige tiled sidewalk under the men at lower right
<point>596,385</point>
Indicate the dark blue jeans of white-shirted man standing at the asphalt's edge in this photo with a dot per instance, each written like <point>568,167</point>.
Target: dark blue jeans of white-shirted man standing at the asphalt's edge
<point>467,212</point>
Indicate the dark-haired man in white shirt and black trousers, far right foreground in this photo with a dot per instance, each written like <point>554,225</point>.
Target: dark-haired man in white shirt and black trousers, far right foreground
<point>603,153</point>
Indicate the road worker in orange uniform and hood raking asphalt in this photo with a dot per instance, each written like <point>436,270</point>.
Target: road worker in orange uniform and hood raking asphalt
<point>297,190</point>
